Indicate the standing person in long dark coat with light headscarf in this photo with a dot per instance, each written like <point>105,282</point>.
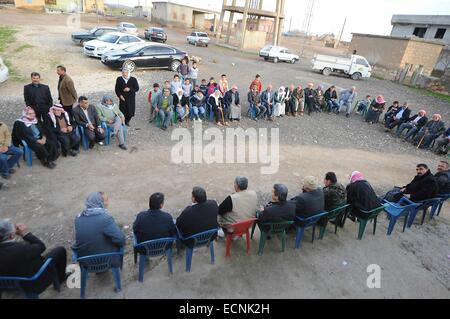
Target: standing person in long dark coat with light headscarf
<point>126,88</point>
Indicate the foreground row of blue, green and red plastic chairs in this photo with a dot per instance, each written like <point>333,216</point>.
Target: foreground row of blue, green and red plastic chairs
<point>164,246</point>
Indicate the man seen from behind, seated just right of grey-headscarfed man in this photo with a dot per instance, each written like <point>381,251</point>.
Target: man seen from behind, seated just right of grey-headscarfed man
<point>154,223</point>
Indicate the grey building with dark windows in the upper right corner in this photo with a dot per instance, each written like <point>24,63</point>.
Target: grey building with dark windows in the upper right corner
<point>429,27</point>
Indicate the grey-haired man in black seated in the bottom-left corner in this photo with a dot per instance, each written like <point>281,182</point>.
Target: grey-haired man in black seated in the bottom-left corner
<point>24,258</point>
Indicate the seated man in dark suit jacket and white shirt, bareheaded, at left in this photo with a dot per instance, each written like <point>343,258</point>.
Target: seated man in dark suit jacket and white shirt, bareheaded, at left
<point>86,115</point>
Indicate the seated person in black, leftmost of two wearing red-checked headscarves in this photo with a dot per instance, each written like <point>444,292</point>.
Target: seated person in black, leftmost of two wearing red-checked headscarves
<point>41,141</point>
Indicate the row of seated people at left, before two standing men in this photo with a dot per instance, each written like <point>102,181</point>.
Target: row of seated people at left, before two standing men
<point>57,134</point>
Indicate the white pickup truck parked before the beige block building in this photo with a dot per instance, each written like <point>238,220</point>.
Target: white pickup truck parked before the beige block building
<point>356,66</point>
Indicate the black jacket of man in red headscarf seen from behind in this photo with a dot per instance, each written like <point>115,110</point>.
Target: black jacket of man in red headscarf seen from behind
<point>361,196</point>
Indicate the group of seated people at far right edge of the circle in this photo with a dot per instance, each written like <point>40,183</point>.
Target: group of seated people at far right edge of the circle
<point>400,119</point>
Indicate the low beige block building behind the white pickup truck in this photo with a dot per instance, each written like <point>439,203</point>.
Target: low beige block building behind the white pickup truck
<point>395,53</point>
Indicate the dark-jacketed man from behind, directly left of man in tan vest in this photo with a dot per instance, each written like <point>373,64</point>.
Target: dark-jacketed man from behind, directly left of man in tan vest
<point>201,216</point>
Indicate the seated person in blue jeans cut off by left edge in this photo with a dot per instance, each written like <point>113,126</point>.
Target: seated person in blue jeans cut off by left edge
<point>9,154</point>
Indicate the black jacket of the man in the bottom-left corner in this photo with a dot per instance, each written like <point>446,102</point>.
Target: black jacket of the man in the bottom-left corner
<point>24,259</point>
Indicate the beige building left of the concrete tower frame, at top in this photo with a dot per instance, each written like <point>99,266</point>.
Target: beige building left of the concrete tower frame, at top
<point>177,15</point>
